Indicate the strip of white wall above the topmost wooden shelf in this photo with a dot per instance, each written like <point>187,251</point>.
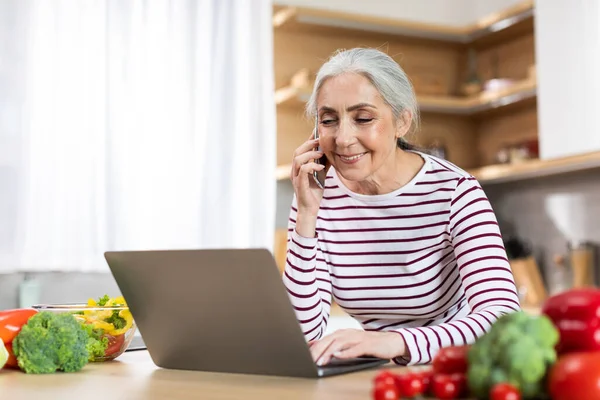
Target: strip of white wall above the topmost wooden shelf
<point>445,12</point>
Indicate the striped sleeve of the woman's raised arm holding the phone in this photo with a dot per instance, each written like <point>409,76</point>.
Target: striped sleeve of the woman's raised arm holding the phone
<point>307,280</point>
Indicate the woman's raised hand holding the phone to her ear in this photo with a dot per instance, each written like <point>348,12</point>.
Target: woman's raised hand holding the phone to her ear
<point>308,193</point>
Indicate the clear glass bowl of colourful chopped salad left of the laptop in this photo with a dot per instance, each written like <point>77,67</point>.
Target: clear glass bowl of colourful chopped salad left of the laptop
<point>111,328</point>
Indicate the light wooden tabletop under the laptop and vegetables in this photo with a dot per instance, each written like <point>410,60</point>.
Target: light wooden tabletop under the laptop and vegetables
<point>134,376</point>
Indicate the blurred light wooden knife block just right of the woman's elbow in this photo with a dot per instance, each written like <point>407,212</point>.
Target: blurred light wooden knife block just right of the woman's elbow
<point>528,279</point>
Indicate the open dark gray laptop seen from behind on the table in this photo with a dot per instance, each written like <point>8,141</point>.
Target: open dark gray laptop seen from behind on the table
<point>218,310</point>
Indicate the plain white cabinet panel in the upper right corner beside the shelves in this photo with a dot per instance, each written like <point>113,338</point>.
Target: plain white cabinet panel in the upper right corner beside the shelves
<point>567,41</point>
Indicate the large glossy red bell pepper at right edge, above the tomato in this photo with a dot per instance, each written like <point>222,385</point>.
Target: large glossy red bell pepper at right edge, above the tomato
<point>576,315</point>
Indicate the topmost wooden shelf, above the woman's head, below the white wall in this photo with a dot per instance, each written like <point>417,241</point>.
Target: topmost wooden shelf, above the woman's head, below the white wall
<point>499,23</point>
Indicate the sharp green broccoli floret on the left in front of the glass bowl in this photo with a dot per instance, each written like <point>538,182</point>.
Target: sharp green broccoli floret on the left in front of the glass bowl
<point>51,342</point>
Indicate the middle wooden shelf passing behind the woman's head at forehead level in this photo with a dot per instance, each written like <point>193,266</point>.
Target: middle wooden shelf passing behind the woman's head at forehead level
<point>299,90</point>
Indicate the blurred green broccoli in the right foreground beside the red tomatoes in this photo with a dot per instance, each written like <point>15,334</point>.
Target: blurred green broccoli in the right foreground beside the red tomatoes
<point>518,349</point>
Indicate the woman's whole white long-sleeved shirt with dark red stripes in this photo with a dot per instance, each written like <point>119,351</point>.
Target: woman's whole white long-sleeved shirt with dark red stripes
<point>426,261</point>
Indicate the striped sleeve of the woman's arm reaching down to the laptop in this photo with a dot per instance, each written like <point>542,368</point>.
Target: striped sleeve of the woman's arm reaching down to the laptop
<point>483,269</point>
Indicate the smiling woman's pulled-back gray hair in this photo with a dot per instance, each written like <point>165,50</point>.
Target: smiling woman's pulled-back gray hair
<point>381,70</point>
